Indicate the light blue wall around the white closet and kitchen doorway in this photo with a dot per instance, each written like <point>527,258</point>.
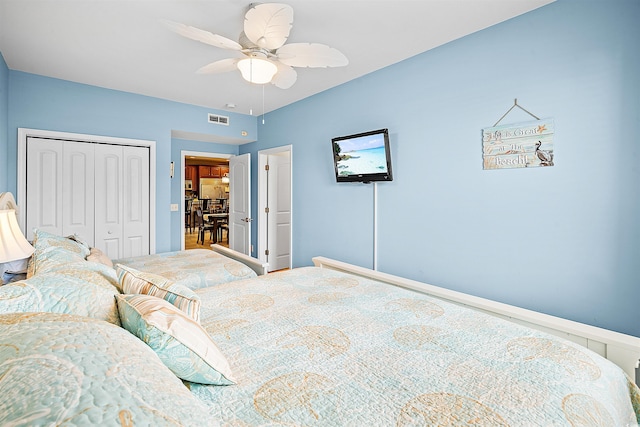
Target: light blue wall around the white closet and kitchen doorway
<point>44,103</point>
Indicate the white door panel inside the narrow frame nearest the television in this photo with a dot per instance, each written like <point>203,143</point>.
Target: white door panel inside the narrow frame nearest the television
<point>279,211</point>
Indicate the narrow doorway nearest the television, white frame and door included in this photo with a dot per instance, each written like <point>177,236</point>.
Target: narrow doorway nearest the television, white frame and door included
<point>275,207</point>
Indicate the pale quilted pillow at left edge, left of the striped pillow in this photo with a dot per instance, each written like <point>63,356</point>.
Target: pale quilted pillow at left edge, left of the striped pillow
<point>85,289</point>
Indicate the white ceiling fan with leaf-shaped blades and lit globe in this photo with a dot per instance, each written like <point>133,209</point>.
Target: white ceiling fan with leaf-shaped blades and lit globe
<point>266,58</point>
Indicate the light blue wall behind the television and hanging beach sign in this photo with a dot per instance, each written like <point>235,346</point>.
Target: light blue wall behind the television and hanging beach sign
<point>562,240</point>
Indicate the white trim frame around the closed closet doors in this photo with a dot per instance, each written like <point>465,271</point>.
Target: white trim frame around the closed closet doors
<point>24,133</point>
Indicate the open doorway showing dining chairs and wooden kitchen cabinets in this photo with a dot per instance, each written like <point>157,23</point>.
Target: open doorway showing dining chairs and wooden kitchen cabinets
<point>205,191</point>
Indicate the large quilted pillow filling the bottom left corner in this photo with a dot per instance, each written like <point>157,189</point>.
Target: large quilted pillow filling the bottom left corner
<point>61,369</point>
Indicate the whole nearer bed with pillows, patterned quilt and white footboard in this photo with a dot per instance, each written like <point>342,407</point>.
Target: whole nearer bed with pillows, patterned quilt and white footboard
<point>331,344</point>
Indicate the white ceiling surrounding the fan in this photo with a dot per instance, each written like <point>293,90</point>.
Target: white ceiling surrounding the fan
<point>120,44</point>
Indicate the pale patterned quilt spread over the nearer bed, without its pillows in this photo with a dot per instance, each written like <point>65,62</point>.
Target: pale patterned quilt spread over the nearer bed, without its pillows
<point>316,346</point>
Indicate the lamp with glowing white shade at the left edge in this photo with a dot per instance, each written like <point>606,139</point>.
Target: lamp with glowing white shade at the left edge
<point>14,247</point>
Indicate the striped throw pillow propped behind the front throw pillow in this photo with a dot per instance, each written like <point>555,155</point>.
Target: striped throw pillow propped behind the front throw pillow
<point>133,281</point>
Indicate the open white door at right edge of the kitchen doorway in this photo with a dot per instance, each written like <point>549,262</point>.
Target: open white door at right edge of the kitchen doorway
<point>240,203</point>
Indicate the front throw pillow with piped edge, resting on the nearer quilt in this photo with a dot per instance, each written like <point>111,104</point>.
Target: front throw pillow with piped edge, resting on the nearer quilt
<point>181,343</point>
